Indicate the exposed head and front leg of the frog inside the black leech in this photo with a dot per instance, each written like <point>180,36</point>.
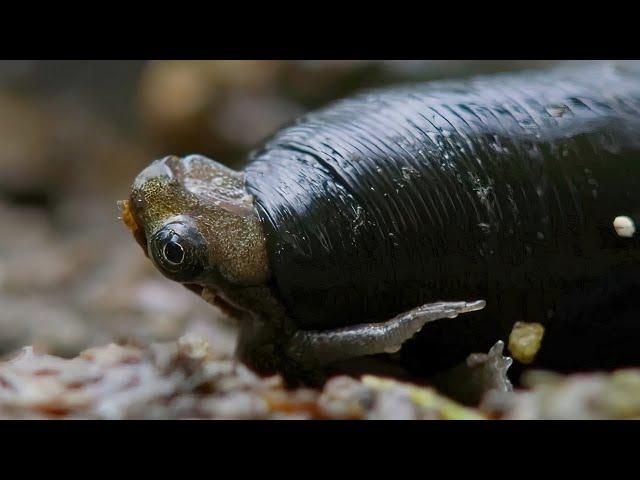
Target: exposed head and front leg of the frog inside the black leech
<point>198,226</point>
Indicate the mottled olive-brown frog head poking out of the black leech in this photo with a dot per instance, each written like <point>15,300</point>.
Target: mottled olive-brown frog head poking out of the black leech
<point>196,222</point>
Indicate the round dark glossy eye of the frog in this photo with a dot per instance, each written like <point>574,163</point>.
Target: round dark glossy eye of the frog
<point>179,251</point>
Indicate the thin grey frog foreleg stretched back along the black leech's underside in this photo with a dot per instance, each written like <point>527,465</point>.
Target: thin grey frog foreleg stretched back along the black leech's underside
<point>323,347</point>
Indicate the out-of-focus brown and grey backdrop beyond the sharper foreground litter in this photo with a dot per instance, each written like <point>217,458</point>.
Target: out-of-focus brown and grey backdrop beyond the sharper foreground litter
<point>73,135</point>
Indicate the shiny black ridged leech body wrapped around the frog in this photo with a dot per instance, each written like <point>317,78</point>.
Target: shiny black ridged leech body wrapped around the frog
<point>503,187</point>
